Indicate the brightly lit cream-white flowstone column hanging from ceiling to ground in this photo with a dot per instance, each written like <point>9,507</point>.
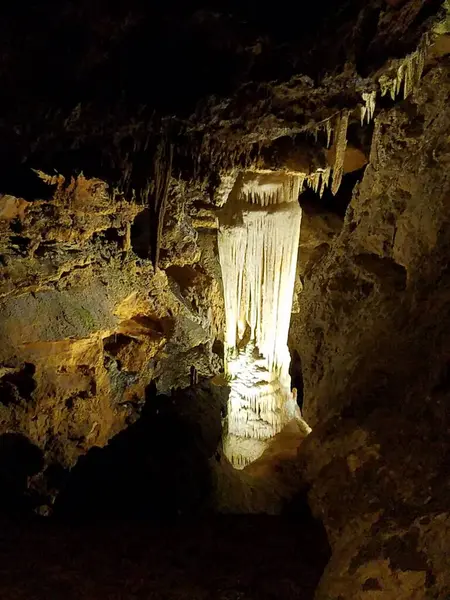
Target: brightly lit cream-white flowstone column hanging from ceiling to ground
<point>258,249</point>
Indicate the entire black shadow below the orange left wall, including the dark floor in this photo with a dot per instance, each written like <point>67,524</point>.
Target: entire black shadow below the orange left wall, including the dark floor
<point>134,519</point>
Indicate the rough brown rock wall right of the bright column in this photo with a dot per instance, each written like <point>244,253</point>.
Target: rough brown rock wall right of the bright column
<point>374,342</point>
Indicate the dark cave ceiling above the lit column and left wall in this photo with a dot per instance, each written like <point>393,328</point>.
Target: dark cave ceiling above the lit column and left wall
<point>103,90</point>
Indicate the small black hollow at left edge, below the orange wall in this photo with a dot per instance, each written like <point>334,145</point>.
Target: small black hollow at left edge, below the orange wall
<point>19,459</point>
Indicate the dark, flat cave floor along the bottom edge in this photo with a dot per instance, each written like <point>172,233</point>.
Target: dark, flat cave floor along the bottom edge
<point>222,558</point>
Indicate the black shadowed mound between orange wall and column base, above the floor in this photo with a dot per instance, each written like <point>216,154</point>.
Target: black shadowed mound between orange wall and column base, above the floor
<point>157,467</point>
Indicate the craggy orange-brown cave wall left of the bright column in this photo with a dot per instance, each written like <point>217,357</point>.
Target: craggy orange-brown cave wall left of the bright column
<point>87,322</point>
